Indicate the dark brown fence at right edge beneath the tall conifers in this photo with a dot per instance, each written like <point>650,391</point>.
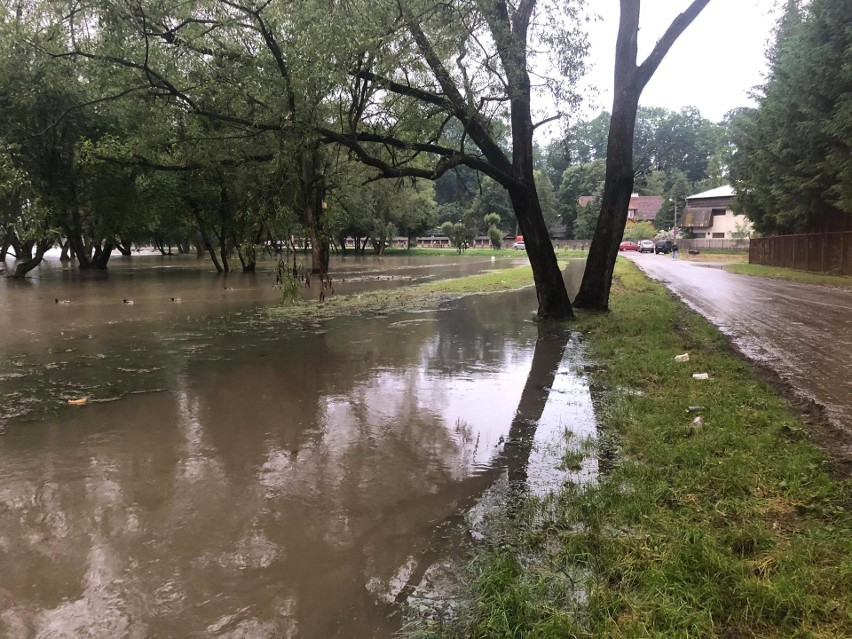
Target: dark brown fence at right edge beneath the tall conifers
<point>815,252</point>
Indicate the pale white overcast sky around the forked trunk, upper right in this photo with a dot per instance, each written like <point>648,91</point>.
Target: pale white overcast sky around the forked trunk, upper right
<point>712,66</point>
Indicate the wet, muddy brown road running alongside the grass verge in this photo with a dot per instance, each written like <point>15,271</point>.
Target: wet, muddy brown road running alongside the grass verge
<point>801,331</point>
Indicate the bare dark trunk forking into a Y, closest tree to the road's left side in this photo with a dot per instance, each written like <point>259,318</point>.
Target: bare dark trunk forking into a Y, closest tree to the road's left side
<point>630,80</point>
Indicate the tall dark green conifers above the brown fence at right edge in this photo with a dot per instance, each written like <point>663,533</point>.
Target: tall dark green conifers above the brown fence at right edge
<point>791,169</point>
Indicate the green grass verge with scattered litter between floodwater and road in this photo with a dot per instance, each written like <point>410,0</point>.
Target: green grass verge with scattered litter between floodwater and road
<point>732,527</point>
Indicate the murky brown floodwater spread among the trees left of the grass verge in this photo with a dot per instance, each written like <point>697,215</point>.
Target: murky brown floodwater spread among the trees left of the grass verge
<point>235,477</point>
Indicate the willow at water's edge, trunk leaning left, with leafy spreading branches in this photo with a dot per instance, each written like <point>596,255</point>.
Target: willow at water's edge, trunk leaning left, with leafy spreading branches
<point>428,69</point>
